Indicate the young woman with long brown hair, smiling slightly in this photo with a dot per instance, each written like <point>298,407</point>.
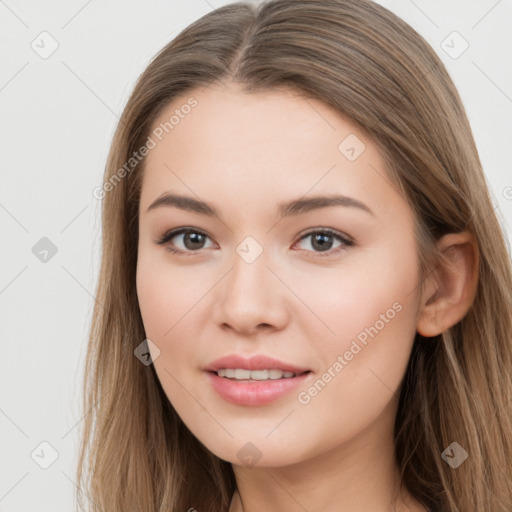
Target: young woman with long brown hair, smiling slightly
<point>304,298</point>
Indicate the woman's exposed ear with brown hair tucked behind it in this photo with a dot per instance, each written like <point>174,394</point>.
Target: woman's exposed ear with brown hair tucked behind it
<point>452,289</point>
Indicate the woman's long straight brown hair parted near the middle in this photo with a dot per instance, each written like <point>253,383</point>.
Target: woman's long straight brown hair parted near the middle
<point>372,67</point>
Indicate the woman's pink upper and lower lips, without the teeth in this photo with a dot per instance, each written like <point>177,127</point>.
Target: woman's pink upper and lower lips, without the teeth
<point>252,392</point>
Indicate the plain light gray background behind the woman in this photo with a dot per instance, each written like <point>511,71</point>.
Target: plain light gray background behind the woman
<point>58,117</point>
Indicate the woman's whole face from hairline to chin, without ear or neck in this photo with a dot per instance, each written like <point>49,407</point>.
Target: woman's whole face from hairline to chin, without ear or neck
<point>295,247</point>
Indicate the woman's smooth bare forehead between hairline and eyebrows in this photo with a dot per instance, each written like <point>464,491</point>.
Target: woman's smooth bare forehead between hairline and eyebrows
<point>274,143</point>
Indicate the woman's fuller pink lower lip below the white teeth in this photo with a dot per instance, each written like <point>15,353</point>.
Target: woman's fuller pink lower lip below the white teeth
<point>254,392</point>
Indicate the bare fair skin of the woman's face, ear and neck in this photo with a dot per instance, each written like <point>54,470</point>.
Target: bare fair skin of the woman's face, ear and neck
<point>244,154</point>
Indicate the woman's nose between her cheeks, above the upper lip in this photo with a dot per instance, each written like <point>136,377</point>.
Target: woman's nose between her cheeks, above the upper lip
<point>251,298</point>
